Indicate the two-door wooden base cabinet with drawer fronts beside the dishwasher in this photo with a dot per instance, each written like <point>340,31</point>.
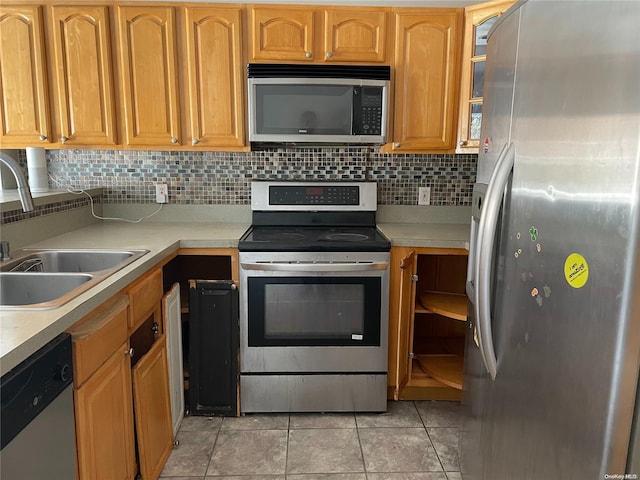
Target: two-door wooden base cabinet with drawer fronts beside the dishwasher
<point>120,371</point>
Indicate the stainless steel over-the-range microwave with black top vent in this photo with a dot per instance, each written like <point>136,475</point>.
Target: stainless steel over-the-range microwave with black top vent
<point>318,104</point>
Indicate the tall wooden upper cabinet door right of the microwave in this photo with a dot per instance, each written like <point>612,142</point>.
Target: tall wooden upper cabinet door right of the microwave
<point>426,84</point>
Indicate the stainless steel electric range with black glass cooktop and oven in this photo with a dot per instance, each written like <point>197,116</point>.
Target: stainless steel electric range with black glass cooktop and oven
<point>314,286</point>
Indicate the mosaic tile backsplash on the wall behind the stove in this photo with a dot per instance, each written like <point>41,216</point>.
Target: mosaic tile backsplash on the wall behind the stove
<point>198,178</point>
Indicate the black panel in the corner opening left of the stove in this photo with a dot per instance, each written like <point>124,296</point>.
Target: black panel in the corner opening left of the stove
<point>213,347</point>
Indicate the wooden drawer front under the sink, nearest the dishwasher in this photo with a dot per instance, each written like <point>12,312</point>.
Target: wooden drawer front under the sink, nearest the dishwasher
<point>95,339</point>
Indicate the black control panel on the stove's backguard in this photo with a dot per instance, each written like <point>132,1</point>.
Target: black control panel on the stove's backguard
<point>314,195</point>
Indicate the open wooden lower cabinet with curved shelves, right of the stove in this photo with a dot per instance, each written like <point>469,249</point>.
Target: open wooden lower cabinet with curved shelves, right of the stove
<point>427,323</point>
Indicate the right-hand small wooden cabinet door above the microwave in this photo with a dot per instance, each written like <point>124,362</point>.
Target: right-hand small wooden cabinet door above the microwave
<point>355,35</point>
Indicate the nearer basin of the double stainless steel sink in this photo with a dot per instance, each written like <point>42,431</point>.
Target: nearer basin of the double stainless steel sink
<point>20,289</point>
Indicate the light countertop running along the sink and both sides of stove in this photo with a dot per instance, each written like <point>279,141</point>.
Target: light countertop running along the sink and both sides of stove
<point>23,332</point>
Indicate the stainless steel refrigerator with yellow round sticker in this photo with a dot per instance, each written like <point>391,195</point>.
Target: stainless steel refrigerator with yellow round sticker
<point>553,342</point>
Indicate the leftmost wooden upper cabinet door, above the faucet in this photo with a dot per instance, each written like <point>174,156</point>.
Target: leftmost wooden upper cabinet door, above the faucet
<point>23,86</point>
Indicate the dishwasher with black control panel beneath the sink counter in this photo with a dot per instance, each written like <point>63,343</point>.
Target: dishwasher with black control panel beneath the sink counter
<point>37,421</point>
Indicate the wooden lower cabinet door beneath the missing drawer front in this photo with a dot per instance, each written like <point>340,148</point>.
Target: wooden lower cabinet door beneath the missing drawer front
<point>152,410</point>
